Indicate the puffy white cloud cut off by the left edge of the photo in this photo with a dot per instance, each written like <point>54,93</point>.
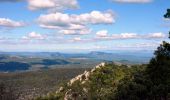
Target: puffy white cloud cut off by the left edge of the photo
<point>5,22</point>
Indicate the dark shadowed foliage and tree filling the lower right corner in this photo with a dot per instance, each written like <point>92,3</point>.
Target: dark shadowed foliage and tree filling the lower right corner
<point>154,82</point>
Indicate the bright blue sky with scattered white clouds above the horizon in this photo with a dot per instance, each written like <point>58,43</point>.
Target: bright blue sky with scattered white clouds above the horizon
<point>82,25</point>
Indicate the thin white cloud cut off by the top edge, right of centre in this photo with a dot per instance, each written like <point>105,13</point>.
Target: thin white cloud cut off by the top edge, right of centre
<point>132,1</point>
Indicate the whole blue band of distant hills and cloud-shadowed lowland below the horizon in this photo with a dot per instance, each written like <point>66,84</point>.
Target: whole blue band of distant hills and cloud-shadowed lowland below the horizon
<point>21,61</point>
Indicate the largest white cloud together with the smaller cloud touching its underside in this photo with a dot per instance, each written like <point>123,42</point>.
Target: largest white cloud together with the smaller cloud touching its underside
<point>75,24</point>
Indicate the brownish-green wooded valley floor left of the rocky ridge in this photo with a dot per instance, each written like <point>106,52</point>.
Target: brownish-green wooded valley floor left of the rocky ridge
<point>36,83</point>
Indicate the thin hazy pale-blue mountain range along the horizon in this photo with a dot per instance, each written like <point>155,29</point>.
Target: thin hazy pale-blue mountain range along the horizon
<point>133,57</point>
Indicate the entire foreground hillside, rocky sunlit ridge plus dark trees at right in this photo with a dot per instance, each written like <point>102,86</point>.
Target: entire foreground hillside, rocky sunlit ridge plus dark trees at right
<point>122,82</point>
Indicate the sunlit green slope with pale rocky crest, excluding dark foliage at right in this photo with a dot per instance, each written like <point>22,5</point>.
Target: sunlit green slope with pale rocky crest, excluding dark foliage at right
<point>100,83</point>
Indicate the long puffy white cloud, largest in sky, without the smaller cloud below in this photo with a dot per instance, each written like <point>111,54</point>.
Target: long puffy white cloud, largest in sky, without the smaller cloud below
<point>59,20</point>
